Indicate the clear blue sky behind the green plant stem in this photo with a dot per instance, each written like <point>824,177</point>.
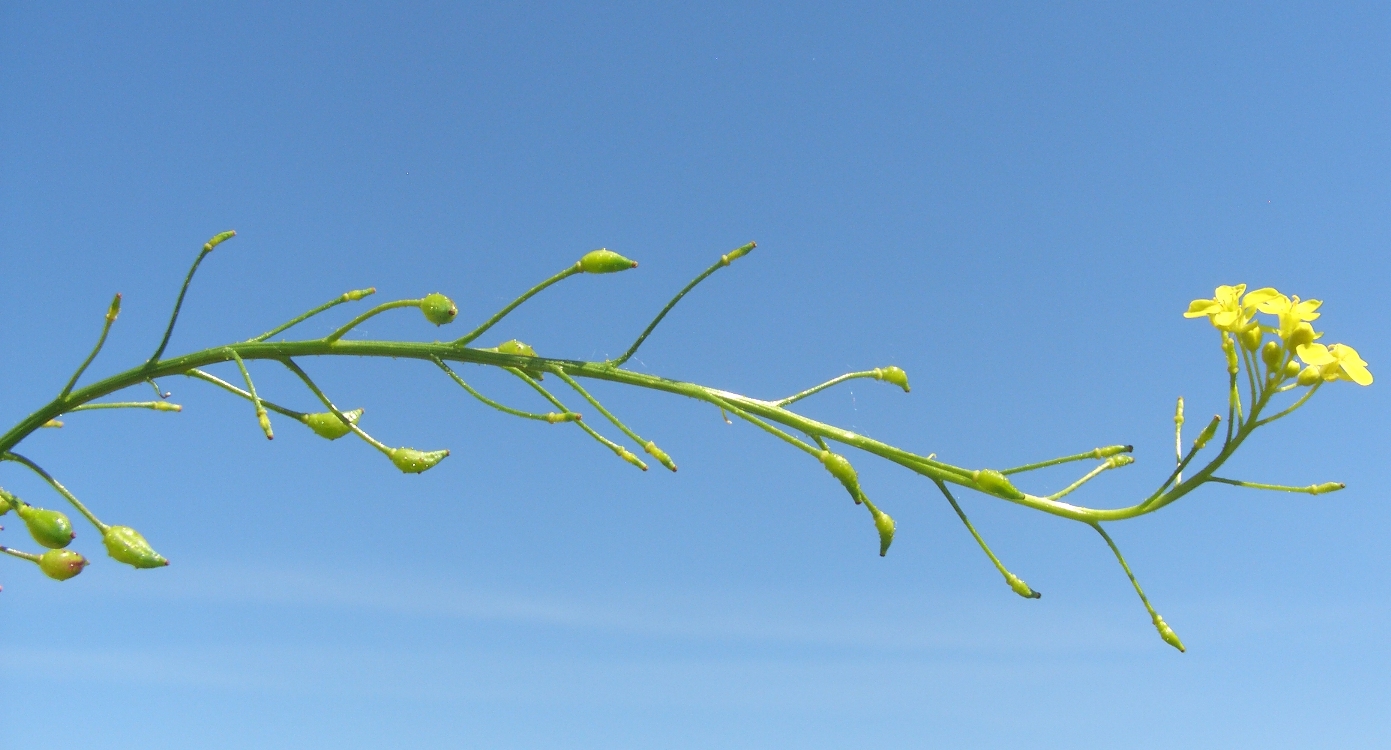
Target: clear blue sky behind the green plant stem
<point>1013,202</point>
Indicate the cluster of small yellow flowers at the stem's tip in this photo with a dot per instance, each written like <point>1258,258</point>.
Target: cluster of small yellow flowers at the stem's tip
<point>1233,312</point>
